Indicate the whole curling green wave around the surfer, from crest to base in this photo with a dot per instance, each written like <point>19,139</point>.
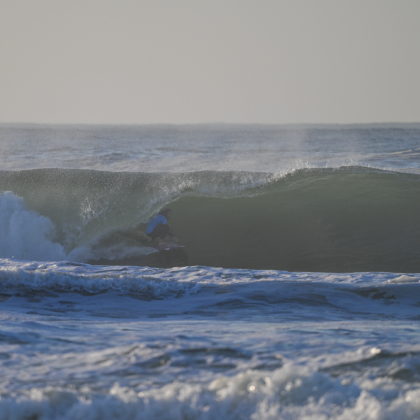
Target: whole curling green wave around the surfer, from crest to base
<point>331,220</point>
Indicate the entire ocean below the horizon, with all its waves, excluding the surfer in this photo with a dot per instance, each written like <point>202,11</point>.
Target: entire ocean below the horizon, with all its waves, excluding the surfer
<point>297,295</point>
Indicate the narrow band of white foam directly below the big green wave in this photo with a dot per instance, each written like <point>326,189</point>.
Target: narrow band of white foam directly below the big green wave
<point>36,274</point>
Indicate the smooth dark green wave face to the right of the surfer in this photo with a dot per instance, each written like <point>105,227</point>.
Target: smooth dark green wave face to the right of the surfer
<point>337,221</point>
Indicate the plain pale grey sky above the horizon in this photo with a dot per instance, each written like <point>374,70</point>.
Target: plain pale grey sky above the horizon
<point>196,61</point>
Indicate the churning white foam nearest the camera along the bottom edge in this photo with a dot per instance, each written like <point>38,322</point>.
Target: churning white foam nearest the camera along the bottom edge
<point>291,392</point>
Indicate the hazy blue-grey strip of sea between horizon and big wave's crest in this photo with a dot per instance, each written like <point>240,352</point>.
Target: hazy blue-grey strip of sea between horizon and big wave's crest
<point>221,147</point>
